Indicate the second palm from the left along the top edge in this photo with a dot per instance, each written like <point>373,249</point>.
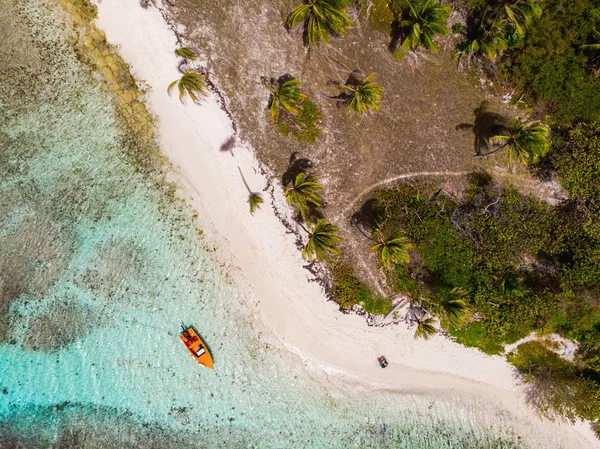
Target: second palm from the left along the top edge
<point>424,19</point>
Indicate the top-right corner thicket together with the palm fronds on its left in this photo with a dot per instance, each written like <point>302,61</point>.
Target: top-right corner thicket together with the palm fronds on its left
<point>550,52</point>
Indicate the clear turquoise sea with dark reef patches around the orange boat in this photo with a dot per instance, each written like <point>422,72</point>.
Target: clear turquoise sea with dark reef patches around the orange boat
<point>98,269</point>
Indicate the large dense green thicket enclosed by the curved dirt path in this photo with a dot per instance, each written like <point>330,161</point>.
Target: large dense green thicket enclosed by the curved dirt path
<point>519,259</point>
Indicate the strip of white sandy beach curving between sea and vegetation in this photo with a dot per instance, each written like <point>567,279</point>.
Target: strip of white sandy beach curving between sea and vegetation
<point>263,261</point>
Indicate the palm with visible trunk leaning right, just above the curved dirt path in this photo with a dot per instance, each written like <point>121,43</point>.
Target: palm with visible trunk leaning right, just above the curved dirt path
<point>525,141</point>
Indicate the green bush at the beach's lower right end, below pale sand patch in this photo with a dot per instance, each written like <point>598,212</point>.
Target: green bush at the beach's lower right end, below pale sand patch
<point>555,386</point>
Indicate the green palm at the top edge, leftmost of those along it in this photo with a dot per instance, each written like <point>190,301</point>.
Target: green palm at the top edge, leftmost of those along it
<point>321,18</point>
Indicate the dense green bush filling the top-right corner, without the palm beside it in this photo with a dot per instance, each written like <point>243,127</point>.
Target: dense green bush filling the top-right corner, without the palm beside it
<point>548,64</point>
